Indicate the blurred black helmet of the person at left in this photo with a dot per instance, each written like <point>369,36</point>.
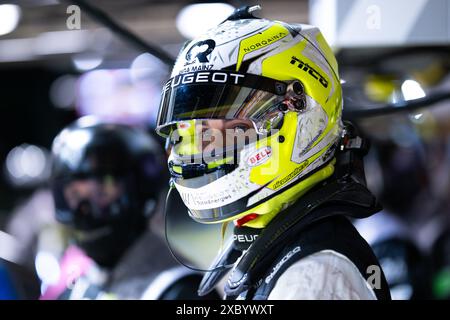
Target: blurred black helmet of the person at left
<point>107,180</point>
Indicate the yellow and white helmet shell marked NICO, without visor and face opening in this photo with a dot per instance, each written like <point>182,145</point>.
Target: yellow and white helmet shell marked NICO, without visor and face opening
<point>300,154</point>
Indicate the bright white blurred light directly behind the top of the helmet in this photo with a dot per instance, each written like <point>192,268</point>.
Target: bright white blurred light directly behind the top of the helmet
<point>195,19</point>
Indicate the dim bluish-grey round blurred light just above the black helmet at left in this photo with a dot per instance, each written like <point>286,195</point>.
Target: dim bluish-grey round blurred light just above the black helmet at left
<point>63,92</point>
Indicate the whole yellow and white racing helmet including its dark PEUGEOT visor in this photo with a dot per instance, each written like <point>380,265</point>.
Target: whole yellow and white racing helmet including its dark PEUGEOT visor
<point>277,80</point>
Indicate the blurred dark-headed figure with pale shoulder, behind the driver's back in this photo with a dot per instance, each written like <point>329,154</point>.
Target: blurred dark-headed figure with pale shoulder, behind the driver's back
<point>401,182</point>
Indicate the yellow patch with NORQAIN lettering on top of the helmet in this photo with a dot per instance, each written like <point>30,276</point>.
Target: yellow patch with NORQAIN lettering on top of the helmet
<point>260,40</point>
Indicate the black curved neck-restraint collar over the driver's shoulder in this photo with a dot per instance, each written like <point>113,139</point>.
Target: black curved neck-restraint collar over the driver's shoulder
<point>344,196</point>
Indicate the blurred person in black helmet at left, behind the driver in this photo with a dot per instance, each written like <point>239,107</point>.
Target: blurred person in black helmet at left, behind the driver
<point>108,182</point>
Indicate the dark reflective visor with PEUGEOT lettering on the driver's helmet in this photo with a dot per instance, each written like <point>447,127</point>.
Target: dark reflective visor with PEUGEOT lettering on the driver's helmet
<point>218,95</point>
